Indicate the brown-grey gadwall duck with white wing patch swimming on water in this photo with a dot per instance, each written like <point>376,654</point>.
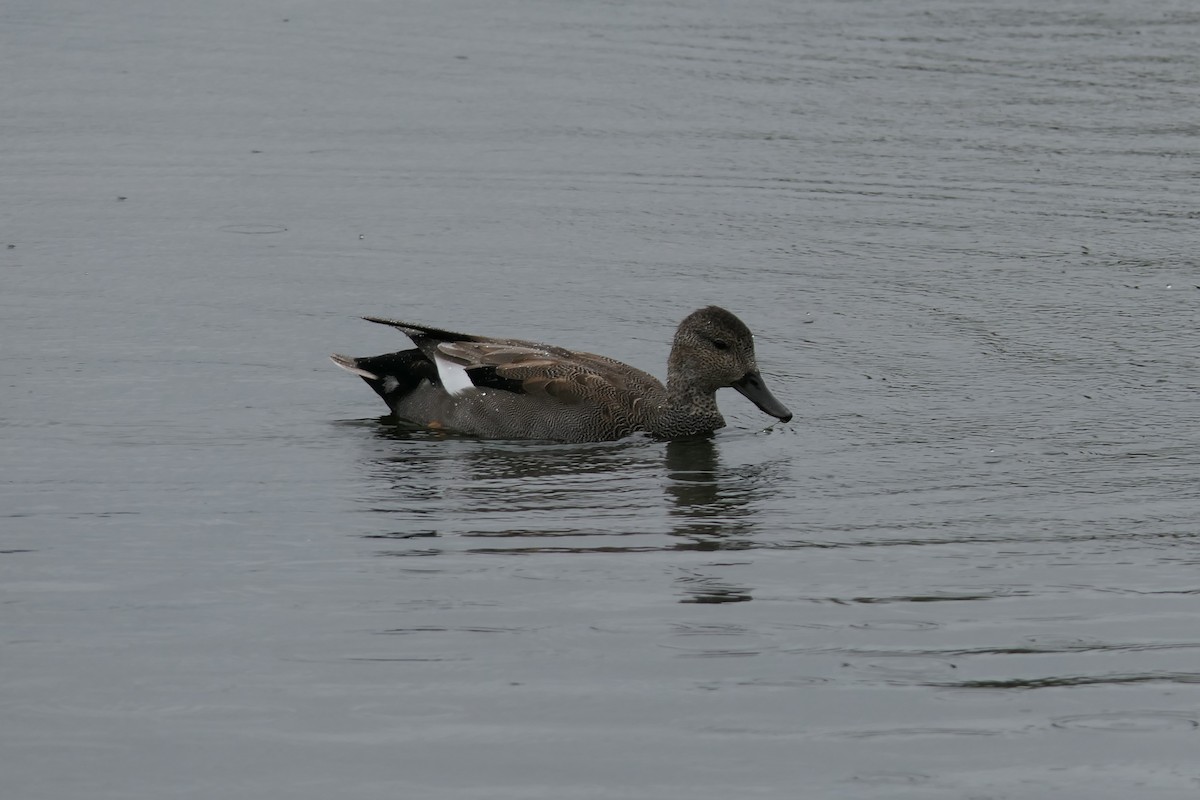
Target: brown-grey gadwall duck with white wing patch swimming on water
<point>511,389</point>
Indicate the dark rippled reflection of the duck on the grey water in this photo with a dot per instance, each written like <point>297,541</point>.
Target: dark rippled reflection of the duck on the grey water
<point>560,498</point>
